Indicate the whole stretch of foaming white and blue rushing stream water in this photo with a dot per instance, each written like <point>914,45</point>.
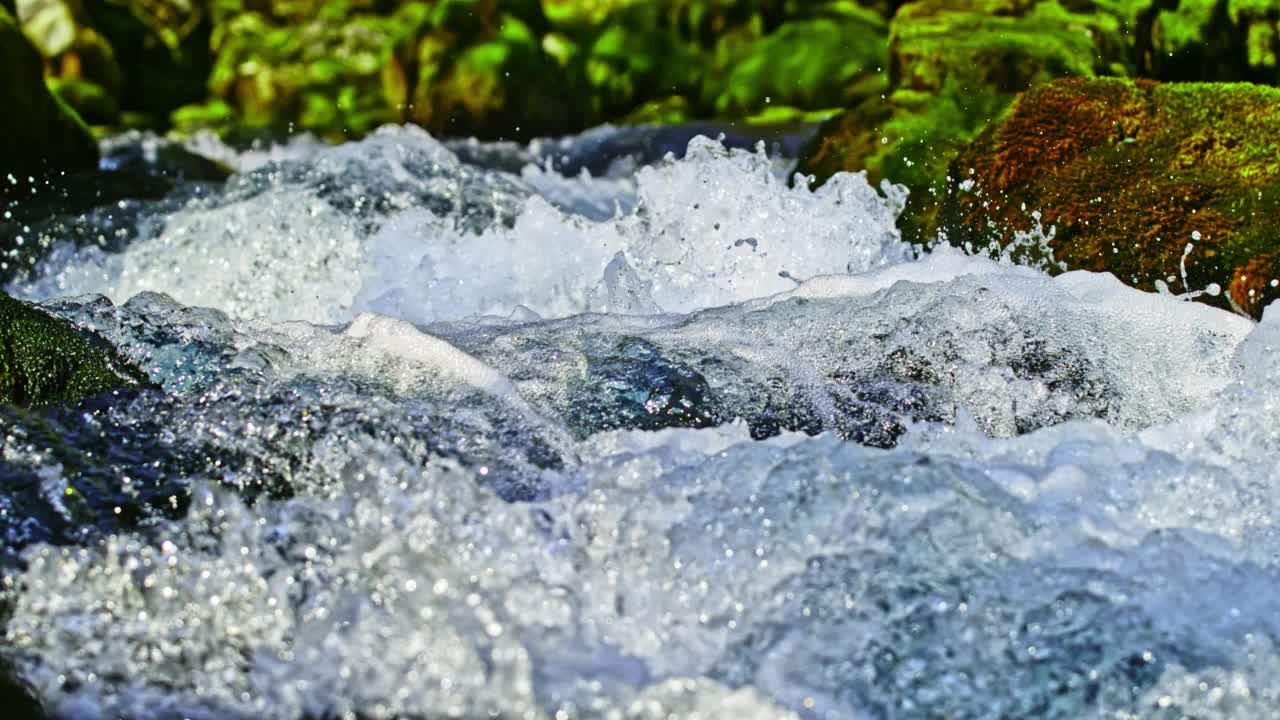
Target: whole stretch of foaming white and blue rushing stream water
<point>449,434</point>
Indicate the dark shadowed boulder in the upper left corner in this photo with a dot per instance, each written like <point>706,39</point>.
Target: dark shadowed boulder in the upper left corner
<point>38,133</point>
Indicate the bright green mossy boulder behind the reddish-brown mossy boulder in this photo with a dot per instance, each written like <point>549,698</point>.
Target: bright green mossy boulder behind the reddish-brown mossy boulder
<point>954,67</point>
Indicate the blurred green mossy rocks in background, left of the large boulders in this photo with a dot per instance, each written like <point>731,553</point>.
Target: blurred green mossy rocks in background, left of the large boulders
<point>491,69</point>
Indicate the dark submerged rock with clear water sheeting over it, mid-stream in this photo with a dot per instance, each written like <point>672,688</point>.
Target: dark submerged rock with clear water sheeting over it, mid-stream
<point>866,382</point>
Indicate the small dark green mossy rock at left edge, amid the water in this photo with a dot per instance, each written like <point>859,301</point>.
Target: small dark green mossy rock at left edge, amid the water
<point>45,361</point>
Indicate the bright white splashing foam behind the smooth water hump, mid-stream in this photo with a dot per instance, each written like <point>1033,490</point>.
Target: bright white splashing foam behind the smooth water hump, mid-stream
<point>715,229</point>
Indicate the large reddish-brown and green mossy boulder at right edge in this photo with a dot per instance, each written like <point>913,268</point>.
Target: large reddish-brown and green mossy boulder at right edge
<point>1173,185</point>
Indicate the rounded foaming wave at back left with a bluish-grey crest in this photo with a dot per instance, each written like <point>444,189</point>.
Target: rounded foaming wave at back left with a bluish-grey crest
<point>287,239</point>
